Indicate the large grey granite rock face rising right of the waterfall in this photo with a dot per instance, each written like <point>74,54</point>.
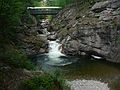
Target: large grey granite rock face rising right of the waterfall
<point>93,31</point>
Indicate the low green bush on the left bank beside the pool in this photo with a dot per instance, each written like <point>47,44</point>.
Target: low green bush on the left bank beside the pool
<point>16,58</point>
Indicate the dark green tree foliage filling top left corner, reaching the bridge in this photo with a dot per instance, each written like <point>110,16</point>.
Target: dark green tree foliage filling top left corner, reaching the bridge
<point>11,12</point>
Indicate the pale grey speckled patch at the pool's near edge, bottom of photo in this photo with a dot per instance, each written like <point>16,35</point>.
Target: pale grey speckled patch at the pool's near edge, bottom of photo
<point>87,85</point>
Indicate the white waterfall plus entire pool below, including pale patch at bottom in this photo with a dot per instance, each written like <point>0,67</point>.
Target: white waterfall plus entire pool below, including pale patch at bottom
<point>87,73</point>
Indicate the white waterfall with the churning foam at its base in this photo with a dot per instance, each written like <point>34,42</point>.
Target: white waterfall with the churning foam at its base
<point>55,56</point>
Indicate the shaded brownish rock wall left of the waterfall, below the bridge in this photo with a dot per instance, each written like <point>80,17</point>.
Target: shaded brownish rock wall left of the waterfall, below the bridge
<point>29,38</point>
